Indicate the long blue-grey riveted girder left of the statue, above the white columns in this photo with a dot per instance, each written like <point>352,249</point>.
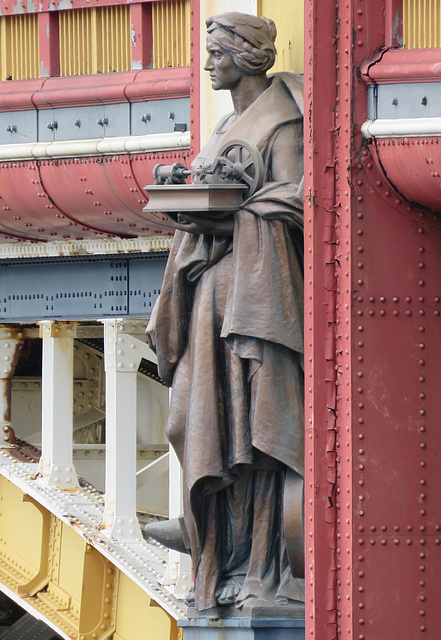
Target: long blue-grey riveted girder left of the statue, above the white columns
<point>80,288</point>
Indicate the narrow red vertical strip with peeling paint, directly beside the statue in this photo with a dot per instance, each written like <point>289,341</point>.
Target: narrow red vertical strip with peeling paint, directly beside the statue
<point>320,293</point>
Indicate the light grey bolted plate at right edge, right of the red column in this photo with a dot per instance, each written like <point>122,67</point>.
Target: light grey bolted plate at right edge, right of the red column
<point>408,100</point>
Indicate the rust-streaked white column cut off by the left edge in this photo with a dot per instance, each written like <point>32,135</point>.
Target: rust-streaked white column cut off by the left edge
<point>11,342</point>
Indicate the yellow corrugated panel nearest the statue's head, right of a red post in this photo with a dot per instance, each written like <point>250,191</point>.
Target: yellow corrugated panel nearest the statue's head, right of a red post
<point>171,33</point>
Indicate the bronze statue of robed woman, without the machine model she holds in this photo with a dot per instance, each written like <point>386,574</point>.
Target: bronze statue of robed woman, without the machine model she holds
<point>228,331</point>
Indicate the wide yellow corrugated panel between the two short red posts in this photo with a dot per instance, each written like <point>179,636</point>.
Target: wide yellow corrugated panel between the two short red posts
<point>95,40</point>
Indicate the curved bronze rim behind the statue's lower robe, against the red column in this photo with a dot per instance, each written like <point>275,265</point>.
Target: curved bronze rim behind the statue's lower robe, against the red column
<point>293,508</point>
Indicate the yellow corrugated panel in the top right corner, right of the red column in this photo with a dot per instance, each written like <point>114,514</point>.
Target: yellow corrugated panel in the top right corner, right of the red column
<point>421,24</point>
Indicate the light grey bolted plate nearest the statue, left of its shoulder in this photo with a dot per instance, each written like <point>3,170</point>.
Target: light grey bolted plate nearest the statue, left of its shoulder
<point>159,112</point>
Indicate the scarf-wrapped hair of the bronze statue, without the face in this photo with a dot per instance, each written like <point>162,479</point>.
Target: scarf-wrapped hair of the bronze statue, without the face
<point>248,39</point>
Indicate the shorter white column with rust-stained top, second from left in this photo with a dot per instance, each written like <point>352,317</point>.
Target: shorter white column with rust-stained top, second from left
<point>56,462</point>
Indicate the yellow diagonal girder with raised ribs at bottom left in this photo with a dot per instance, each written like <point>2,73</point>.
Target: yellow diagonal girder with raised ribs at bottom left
<point>69,582</point>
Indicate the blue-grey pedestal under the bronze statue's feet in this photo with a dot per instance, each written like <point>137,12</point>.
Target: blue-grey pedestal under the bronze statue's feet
<point>243,628</point>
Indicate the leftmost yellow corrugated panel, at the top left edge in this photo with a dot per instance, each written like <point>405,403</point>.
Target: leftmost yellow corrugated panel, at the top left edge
<point>19,51</point>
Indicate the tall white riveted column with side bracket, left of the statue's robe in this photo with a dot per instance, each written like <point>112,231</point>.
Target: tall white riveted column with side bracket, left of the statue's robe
<point>122,356</point>
